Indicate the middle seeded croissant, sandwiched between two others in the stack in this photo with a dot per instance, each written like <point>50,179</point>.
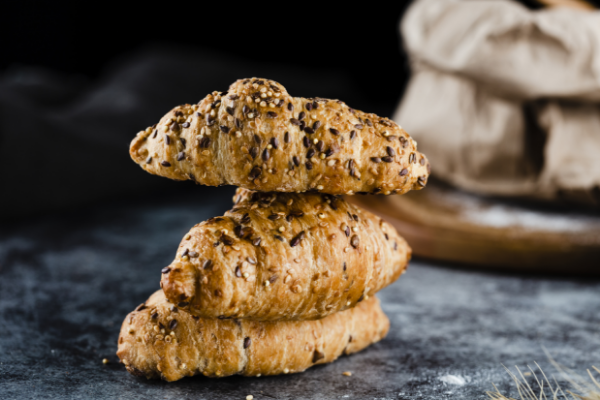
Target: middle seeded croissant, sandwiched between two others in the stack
<point>286,256</point>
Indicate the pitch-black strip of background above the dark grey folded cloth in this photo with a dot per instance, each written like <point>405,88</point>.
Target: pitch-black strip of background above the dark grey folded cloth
<point>76,38</point>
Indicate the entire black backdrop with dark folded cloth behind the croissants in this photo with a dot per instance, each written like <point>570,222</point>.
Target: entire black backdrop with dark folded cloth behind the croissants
<point>78,80</point>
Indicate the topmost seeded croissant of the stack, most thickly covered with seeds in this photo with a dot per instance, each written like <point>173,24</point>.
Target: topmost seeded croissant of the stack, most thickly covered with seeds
<point>258,137</point>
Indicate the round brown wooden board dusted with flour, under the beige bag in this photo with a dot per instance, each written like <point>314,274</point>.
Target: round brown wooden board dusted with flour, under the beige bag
<point>443,223</point>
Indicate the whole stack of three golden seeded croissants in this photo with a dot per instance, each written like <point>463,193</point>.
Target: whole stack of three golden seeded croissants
<point>285,279</point>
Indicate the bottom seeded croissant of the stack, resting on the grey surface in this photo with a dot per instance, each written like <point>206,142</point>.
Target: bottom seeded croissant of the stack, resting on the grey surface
<point>158,341</point>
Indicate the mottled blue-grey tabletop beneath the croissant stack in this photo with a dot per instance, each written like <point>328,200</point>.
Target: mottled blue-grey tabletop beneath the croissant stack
<point>67,282</point>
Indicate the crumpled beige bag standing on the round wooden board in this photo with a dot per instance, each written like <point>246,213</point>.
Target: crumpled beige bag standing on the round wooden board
<point>505,100</point>
